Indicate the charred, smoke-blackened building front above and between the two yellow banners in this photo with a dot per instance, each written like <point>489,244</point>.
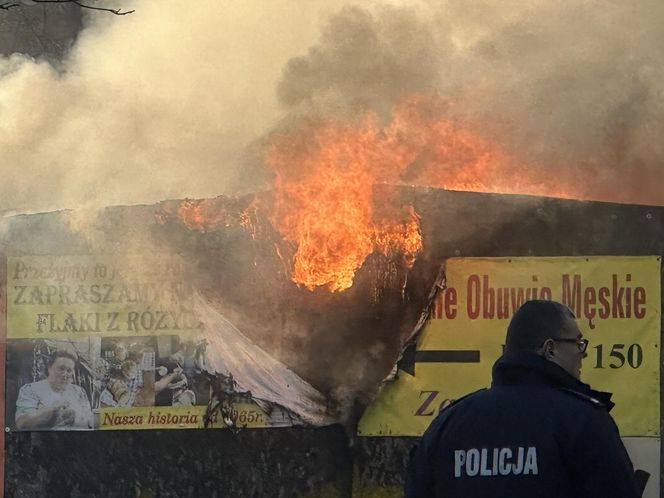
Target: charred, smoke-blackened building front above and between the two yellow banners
<point>342,341</point>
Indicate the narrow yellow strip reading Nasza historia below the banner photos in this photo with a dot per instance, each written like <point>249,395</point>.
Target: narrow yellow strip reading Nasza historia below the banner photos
<point>240,415</point>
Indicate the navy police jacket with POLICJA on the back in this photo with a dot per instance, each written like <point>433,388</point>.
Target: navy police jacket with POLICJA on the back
<point>537,432</point>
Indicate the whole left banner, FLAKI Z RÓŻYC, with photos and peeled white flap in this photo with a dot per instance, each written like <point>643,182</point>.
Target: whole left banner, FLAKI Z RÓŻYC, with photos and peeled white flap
<point>97,344</point>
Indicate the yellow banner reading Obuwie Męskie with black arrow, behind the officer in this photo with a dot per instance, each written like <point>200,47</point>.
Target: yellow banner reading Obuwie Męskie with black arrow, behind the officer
<point>616,300</point>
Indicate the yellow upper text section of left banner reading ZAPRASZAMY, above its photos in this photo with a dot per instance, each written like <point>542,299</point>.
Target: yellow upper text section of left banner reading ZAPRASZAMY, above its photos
<point>81,296</point>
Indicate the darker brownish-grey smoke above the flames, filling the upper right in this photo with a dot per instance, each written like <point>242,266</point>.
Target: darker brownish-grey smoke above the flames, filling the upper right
<point>573,90</point>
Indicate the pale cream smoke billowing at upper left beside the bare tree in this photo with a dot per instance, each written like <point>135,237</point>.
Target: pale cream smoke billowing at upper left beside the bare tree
<point>154,105</point>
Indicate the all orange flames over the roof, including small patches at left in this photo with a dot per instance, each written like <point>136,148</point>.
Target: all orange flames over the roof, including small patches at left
<point>325,173</point>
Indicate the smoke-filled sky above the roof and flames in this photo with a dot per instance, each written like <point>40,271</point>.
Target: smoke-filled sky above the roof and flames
<point>178,100</point>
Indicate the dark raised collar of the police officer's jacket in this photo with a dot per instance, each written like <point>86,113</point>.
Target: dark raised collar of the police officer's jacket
<point>526,368</point>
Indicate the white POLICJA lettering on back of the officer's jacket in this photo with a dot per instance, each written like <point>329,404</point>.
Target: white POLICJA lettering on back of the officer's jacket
<point>474,462</point>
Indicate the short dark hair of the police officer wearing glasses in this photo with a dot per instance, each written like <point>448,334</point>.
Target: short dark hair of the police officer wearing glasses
<point>535,322</point>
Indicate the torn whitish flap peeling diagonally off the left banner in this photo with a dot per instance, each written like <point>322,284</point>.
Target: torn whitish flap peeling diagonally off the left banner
<point>230,352</point>
